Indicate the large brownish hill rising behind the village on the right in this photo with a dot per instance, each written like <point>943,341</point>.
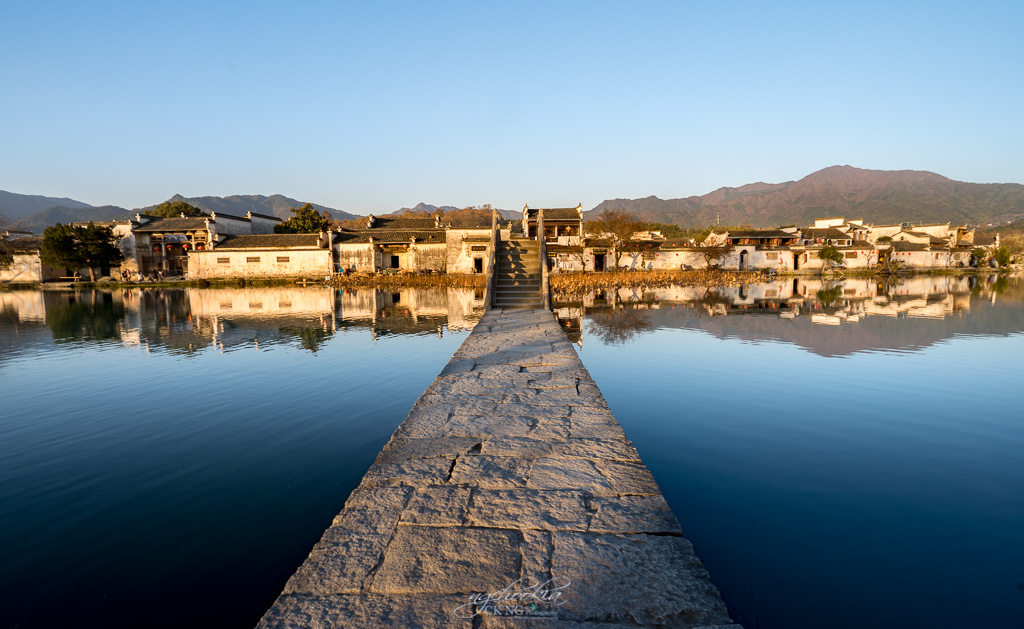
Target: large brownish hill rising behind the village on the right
<point>880,197</point>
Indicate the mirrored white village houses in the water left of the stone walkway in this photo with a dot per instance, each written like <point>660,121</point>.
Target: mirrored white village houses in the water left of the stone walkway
<point>188,320</point>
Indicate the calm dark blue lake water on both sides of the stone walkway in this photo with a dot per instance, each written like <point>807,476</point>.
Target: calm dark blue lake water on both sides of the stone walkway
<point>845,455</point>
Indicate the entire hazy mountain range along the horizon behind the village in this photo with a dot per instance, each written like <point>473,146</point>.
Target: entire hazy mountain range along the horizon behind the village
<point>879,197</point>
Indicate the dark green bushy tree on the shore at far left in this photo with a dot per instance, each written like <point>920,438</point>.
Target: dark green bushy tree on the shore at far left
<point>75,247</point>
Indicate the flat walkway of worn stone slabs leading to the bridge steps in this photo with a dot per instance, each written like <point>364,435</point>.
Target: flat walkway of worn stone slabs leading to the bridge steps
<point>509,497</point>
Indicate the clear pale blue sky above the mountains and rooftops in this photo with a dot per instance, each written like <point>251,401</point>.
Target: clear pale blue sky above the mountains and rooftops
<point>368,107</point>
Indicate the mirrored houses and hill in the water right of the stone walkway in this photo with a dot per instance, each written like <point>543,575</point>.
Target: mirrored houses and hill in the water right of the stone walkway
<point>906,316</point>
